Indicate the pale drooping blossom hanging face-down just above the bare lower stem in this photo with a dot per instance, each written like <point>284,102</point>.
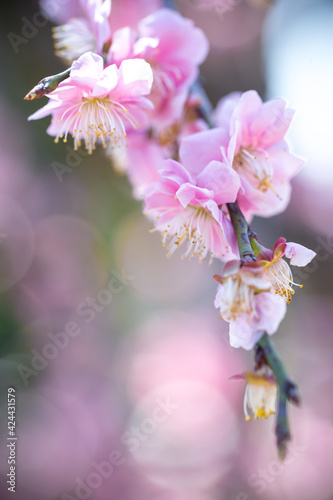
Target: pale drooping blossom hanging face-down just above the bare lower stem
<point>245,301</point>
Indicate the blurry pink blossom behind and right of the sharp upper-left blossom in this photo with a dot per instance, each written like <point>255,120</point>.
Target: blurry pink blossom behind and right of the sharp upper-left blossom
<point>174,48</point>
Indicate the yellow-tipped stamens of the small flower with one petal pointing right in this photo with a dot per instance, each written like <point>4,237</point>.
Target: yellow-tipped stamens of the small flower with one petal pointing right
<point>279,274</point>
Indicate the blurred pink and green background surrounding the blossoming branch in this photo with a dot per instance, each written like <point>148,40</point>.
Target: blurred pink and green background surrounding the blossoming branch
<point>120,363</point>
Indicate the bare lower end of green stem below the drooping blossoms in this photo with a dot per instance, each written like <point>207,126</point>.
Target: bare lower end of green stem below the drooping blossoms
<point>287,391</point>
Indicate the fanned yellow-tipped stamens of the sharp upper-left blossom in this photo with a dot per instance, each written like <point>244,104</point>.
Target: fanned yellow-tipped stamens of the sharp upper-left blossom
<point>95,120</point>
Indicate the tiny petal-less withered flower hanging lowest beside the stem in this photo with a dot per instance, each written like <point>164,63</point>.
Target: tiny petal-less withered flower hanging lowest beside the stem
<point>260,393</point>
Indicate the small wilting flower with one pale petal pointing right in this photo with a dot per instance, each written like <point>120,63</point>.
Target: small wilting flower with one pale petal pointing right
<point>276,269</point>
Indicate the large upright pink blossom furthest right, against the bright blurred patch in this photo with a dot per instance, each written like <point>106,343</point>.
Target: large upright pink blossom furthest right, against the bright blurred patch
<point>254,143</point>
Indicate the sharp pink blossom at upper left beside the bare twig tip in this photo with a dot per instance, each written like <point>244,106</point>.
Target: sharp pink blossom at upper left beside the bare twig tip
<point>97,105</point>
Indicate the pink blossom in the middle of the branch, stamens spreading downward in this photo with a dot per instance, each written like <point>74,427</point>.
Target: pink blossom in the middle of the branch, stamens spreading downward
<point>185,208</point>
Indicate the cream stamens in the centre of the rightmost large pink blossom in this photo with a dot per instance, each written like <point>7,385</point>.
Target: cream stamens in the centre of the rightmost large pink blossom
<point>253,164</point>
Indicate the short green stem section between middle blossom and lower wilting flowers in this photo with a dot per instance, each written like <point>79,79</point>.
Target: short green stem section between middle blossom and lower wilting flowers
<point>242,231</point>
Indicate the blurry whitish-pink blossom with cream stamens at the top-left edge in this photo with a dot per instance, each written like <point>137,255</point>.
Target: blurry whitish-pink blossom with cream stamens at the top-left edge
<point>89,32</point>
